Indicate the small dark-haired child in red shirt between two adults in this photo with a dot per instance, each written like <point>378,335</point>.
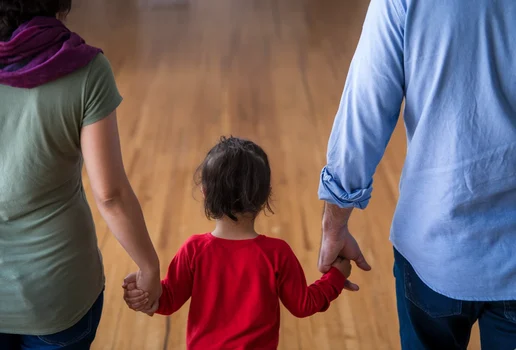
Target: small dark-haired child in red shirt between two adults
<point>235,276</point>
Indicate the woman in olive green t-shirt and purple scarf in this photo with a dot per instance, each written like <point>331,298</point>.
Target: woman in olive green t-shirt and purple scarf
<point>58,101</point>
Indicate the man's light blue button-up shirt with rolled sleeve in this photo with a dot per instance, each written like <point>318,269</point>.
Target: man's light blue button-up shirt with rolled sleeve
<point>454,62</point>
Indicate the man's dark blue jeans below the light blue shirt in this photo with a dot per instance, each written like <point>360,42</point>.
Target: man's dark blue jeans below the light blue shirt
<point>429,320</point>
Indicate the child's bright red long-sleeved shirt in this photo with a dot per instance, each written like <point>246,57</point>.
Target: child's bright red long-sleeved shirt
<point>235,288</point>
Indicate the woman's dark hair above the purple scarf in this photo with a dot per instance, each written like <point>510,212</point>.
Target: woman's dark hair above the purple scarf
<point>14,13</point>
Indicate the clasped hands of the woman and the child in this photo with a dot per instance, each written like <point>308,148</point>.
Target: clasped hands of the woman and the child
<point>142,292</point>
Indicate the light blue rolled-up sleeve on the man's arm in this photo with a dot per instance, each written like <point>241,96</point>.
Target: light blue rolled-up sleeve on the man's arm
<point>369,108</point>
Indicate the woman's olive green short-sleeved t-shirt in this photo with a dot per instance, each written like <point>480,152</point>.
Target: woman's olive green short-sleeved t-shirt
<point>51,269</point>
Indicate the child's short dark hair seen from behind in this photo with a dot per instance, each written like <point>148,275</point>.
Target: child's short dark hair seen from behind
<point>236,179</point>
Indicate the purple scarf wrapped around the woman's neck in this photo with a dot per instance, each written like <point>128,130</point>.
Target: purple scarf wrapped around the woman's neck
<point>40,51</point>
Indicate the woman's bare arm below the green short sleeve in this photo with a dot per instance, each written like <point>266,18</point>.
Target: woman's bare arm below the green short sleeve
<point>116,200</point>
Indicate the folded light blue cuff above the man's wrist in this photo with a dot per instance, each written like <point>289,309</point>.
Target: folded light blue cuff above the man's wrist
<point>331,191</point>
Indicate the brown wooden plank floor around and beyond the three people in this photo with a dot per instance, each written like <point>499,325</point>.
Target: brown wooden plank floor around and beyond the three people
<point>268,70</point>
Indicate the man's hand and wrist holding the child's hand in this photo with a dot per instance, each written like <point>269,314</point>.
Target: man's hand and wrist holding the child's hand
<point>338,241</point>
